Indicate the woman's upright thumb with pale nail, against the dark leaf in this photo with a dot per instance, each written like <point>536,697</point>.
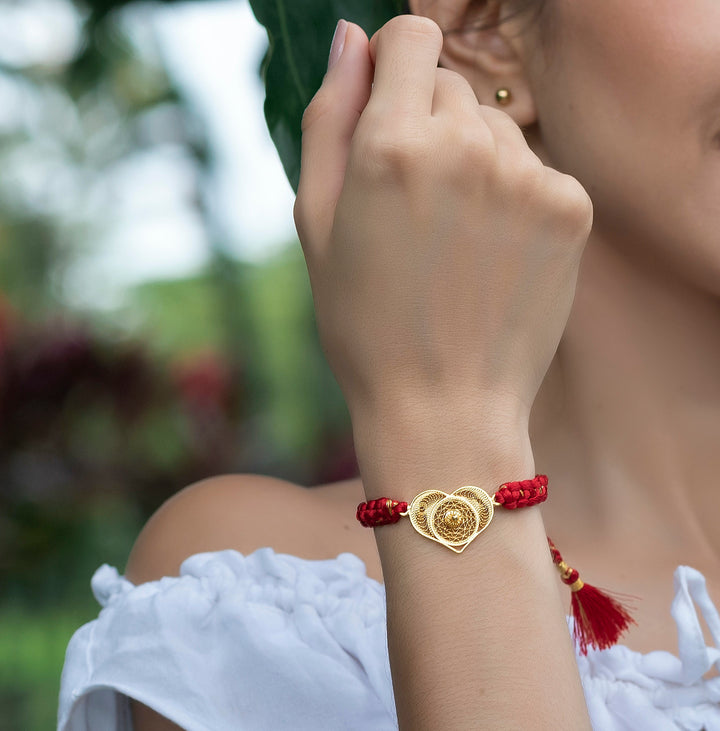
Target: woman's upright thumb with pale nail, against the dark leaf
<point>327,128</point>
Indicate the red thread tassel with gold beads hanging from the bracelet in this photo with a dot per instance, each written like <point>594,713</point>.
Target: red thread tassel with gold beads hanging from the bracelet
<point>599,619</point>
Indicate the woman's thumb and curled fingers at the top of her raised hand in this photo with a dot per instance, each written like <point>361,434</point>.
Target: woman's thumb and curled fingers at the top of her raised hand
<point>394,83</point>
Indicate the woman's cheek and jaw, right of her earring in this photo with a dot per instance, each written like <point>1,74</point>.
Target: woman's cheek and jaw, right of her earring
<point>645,141</point>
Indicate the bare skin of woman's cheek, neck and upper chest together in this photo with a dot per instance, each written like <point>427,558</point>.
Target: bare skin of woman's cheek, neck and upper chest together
<point>633,393</point>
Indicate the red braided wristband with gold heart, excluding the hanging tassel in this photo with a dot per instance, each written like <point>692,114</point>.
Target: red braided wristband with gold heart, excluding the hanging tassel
<point>457,519</point>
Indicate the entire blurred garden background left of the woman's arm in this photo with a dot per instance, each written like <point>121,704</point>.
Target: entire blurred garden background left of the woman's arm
<point>156,322</point>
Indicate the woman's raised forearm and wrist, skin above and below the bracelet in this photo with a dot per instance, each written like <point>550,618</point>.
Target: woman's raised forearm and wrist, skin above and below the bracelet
<point>477,640</point>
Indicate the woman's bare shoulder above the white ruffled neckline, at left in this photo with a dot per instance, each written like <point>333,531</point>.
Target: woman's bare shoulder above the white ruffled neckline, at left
<point>246,512</point>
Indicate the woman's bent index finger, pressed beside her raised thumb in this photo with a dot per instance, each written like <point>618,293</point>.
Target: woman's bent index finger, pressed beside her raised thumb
<point>406,52</point>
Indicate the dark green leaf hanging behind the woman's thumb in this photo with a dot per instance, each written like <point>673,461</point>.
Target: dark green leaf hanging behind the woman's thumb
<point>299,34</point>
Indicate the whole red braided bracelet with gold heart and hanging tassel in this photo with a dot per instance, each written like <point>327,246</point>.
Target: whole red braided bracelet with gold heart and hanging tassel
<point>455,520</point>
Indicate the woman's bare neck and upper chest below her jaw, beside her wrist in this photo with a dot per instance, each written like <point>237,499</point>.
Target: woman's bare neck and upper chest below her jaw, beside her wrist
<point>627,421</point>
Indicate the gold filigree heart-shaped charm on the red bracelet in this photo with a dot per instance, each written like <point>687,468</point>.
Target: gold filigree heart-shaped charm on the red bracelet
<point>454,520</point>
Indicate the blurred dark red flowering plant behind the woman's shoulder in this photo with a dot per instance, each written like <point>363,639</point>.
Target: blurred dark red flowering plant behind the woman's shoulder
<point>87,421</point>
